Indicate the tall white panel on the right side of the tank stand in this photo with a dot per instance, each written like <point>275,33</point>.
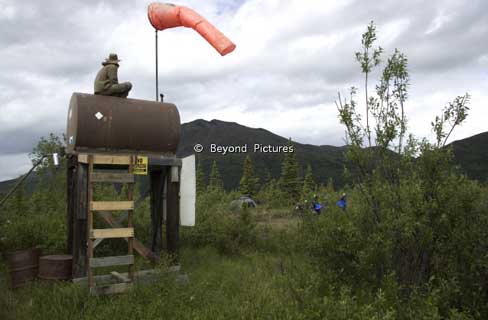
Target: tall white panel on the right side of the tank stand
<point>188,192</point>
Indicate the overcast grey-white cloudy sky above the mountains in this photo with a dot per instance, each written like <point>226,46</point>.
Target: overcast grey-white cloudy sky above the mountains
<point>291,59</point>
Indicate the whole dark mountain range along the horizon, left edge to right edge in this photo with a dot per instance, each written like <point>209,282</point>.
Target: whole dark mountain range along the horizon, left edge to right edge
<point>471,154</point>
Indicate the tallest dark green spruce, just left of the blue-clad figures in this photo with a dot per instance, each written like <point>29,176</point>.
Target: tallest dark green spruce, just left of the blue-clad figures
<point>290,182</point>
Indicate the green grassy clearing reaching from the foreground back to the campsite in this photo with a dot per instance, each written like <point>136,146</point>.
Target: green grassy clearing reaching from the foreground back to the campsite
<point>254,264</point>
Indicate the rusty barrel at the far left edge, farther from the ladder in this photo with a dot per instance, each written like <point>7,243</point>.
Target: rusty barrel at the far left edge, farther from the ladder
<point>23,266</point>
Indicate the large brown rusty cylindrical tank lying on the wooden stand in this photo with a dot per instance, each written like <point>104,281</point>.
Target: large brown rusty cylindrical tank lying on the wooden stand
<point>121,125</point>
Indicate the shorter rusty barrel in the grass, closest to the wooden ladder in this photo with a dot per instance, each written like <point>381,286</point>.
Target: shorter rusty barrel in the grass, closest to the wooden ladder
<point>55,267</point>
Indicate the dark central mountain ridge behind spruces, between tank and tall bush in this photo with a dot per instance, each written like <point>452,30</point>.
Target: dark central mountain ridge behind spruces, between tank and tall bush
<point>326,161</point>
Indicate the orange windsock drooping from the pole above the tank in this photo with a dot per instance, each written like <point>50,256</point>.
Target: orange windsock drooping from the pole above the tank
<point>165,15</point>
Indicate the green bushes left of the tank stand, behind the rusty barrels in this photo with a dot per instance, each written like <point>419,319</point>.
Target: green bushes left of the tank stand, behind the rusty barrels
<point>38,218</point>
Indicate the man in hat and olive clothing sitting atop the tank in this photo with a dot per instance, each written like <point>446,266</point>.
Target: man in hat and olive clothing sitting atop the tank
<point>107,82</point>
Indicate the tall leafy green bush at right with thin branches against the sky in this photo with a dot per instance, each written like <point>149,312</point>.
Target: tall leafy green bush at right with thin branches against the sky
<point>410,213</point>
